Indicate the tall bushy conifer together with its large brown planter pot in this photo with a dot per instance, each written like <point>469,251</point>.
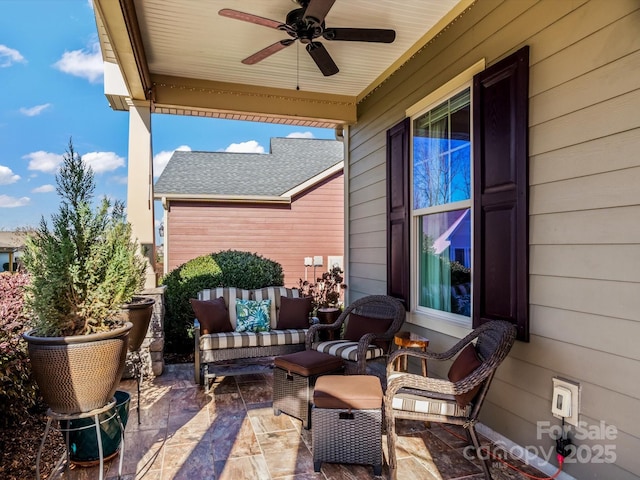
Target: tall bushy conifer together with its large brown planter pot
<point>83,268</point>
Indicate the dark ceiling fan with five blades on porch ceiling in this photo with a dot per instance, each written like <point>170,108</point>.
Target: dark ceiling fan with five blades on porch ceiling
<point>306,24</point>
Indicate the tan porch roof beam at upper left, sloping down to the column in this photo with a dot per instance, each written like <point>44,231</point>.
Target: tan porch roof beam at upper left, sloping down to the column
<point>123,33</point>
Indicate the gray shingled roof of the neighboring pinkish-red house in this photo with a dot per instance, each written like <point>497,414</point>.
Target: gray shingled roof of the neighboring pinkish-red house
<point>292,161</point>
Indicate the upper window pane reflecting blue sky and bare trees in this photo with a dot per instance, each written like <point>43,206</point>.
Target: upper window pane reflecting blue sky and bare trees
<point>442,153</point>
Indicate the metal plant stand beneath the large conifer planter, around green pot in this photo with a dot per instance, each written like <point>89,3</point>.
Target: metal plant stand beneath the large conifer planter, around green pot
<point>67,418</point>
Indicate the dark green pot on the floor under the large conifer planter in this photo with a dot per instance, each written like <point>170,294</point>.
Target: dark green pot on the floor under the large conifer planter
<point>83,446</point>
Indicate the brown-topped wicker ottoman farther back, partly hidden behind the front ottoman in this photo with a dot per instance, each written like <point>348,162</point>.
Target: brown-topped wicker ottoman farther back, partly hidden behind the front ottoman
<point>293,380</point>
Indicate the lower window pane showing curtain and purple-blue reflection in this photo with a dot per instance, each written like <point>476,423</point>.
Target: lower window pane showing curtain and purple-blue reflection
<point>445,262</point>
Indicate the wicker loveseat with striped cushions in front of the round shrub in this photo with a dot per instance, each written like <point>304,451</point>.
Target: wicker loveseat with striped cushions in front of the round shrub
<point>232,344</point>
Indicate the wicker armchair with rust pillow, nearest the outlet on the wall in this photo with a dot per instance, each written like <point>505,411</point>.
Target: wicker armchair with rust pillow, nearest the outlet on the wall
<point>416,397</point>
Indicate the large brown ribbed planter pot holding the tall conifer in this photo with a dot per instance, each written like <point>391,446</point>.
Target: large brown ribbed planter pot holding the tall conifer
<point>78,373</point>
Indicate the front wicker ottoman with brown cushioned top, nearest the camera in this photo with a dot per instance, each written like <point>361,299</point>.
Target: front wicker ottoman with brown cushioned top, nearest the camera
<point>347,421</point>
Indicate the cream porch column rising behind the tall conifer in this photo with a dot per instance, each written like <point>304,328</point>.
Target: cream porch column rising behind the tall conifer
<point>140,183</point>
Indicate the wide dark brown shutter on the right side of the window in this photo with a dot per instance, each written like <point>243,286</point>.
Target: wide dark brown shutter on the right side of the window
<point>500,150</point>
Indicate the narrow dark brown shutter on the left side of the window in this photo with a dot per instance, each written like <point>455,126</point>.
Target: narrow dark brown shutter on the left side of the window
<point>398,267</point>
